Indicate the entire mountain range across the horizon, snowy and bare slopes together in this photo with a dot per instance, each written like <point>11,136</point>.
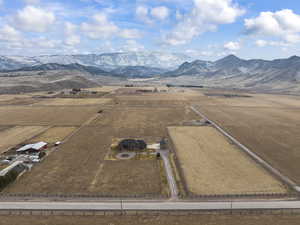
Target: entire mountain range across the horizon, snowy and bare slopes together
<point>230,72</point>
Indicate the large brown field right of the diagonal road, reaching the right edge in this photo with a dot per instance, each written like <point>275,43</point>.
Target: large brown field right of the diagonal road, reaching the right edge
<point>269,125</point>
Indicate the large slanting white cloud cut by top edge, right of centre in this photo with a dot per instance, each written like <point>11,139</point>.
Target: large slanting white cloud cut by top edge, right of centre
<point>205,16</point>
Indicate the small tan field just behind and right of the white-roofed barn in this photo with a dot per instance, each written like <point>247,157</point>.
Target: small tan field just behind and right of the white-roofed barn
<point>54,134</point>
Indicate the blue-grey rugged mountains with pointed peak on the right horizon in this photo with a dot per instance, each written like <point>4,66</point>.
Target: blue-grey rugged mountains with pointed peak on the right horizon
<point>231,71</point>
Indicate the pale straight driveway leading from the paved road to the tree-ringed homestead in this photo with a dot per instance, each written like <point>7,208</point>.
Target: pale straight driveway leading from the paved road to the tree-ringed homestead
<point>169,172</point>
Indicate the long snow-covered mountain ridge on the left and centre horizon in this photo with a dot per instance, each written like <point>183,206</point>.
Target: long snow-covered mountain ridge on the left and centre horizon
<point>107,61</point>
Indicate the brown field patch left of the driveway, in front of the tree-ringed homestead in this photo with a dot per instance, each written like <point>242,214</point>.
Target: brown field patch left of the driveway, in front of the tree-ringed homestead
<point>128,177</point>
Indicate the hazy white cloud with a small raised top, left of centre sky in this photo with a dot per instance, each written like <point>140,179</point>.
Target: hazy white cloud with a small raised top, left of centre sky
<point>103,28</point>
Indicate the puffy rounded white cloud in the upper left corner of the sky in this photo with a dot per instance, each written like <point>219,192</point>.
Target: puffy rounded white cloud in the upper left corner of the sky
<point>33,19</point>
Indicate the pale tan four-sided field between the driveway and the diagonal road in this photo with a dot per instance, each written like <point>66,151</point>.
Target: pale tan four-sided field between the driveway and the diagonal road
<point>212,165</point>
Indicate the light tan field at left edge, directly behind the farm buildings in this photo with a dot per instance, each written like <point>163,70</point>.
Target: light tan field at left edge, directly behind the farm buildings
<point>13,136</point>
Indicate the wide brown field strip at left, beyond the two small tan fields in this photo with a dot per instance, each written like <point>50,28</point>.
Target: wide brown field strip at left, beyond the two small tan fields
<point>44,115</point>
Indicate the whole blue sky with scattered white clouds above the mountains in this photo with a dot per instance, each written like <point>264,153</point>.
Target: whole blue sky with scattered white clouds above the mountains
<point>204,29</point>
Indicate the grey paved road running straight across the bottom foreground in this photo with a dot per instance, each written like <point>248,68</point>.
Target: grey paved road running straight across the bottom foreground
<point>160,205</point>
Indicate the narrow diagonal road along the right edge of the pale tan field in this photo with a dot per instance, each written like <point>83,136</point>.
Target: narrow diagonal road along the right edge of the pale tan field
<point>276,172</point>
